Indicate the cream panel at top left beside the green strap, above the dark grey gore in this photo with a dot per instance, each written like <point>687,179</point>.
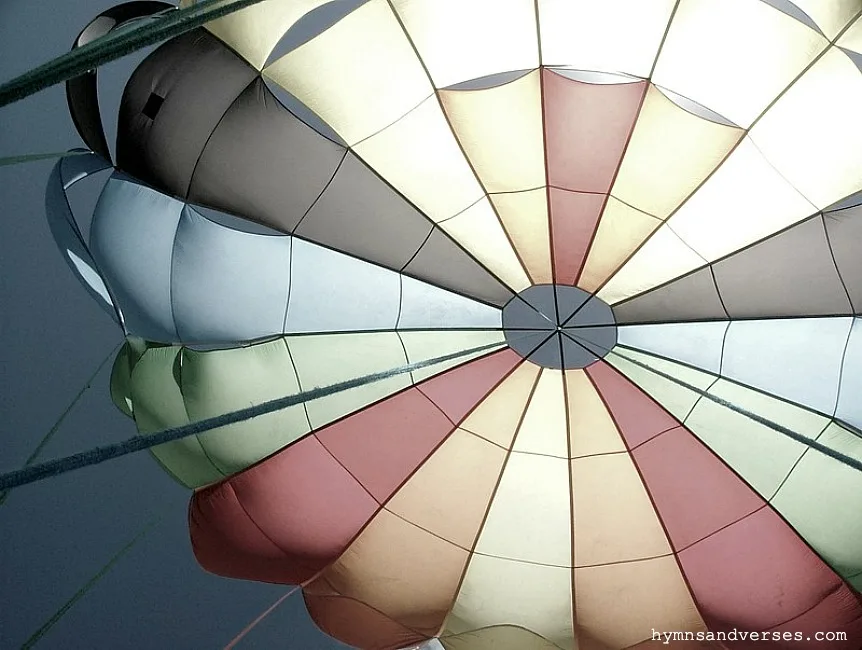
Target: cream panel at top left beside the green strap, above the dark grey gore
<point>254,32</point>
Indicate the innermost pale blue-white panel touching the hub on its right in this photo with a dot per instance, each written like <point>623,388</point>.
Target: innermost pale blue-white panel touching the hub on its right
<point>697,344</point>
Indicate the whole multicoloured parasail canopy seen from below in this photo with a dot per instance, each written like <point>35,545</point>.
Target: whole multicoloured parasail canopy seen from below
<point>639,221</point>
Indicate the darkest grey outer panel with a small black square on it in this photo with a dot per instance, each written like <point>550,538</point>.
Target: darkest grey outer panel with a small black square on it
<point>197,78</point>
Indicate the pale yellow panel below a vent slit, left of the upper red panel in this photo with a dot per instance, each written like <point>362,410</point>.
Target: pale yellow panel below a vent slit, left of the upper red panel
<point>500,129</point>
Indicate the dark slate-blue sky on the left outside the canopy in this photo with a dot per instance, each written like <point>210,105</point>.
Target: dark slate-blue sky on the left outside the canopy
<point>57,534</point>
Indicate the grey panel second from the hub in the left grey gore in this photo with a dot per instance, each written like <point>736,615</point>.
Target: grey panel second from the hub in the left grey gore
<point>361,215</point>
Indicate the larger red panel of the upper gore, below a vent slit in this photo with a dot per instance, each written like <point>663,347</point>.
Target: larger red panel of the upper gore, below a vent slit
<point>587,127</point>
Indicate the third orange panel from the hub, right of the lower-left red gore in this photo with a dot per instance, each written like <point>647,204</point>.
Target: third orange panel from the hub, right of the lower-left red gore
<point>402,571</point>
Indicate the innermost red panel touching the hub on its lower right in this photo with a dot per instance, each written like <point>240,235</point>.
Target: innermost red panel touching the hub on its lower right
<point>636,415</point>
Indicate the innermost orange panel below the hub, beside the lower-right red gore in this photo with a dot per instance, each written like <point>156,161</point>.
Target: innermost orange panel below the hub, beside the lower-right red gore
<point>592,429</point>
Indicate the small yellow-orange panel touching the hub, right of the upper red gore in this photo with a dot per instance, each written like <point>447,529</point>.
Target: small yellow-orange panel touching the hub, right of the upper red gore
<point>621,230</point>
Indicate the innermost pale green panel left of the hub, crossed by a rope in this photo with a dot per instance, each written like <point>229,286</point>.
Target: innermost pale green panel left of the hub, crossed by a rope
<point>425,345</point>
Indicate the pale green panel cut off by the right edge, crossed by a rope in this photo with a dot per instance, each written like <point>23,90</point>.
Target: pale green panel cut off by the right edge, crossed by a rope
<point>822,500</point>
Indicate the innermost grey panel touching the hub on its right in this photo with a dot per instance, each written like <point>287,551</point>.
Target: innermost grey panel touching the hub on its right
<point>691,297</point>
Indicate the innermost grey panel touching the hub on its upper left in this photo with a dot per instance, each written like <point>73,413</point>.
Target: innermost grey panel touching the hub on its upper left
<point>443,263</point>
